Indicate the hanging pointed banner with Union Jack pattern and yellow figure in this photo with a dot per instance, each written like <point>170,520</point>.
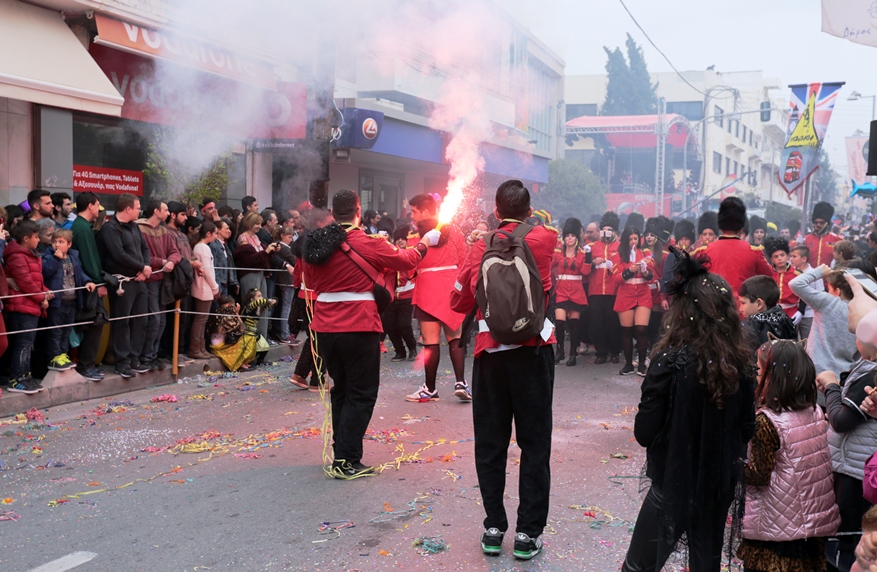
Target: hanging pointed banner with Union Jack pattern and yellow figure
<point>809,114</point>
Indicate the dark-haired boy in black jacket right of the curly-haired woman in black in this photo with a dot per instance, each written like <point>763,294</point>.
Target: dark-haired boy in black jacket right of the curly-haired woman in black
<point>759,300</point>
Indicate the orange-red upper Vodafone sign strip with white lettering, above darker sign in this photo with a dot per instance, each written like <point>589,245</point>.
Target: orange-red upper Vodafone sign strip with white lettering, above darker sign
<point>164,45</point>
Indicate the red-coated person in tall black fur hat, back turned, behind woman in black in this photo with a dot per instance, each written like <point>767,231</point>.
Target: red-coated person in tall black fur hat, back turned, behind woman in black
<point>732,258</point>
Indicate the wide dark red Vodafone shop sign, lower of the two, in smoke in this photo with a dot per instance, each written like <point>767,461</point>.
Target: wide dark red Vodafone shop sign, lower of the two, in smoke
<point>165,93</point>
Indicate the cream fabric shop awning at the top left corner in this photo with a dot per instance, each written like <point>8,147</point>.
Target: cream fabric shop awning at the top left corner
<point>42,61</point>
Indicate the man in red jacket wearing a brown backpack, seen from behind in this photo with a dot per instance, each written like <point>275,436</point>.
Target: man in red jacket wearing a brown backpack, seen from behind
<point>507,274</point>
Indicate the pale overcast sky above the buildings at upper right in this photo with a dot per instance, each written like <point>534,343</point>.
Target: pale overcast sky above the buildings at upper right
<point>783,39</point>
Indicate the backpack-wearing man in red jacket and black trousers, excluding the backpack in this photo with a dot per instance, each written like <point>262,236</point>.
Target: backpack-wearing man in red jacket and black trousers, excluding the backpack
<point>511,383</point>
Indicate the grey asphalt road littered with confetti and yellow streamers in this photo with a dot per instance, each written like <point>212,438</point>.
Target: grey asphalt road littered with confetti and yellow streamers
<point>229,477</point>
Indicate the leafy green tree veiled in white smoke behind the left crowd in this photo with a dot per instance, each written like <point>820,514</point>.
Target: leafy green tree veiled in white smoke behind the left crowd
<point>187,166</point>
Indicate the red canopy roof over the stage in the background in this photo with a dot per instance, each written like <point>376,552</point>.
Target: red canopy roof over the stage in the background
<point>633,131</point>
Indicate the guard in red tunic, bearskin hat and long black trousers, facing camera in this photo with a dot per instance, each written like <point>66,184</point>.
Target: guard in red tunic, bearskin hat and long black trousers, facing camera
<point>605,328</point>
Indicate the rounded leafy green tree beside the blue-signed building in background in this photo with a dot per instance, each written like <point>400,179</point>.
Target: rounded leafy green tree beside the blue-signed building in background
<point>572,190</point>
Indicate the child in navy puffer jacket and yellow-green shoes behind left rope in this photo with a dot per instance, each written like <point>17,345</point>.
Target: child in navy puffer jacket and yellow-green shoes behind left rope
<point>62,273</point>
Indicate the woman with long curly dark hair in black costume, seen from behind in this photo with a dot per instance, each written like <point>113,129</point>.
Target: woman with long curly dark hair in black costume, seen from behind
<point>695,418</point>
